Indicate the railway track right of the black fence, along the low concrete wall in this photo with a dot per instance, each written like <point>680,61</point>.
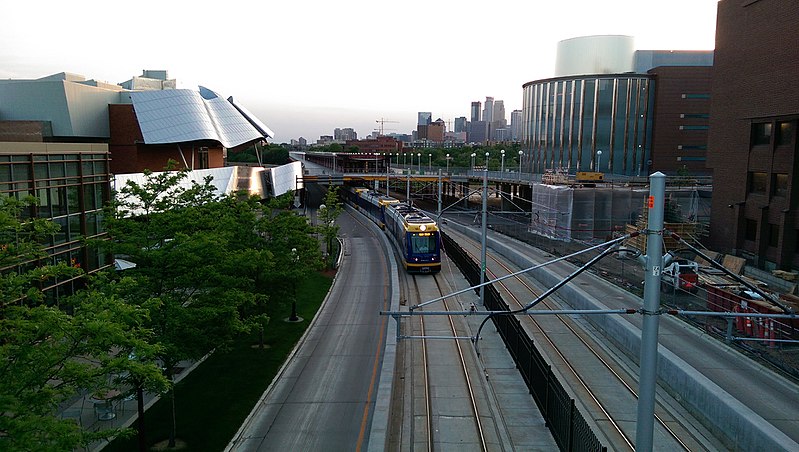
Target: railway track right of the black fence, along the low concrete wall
<point>573,351</point>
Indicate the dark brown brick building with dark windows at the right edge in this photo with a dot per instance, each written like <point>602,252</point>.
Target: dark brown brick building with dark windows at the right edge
<point>752,142</point>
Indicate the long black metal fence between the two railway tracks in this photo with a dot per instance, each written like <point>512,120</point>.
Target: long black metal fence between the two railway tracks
<point>567,424</point>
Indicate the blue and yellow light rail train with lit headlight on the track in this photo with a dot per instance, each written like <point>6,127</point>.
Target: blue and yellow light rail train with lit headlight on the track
<point>415,235</point>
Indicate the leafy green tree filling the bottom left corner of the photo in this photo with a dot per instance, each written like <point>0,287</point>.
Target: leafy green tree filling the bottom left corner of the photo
<point>51,354</point>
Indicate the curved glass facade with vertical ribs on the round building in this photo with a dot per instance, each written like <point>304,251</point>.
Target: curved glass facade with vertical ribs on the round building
<point>567,121</point>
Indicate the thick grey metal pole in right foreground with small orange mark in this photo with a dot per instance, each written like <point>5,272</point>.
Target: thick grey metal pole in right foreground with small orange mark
<point>649,332</point>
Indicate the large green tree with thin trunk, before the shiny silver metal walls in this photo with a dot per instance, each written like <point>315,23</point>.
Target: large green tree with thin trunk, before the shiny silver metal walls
<point>197,257</point>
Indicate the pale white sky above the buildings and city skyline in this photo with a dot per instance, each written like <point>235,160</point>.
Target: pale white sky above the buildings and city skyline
<point>305,67</point>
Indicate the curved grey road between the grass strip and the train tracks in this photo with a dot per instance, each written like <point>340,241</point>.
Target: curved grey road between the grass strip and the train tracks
<point>324,397</point>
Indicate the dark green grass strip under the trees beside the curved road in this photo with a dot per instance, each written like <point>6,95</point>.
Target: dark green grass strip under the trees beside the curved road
<point>214,399</point>
